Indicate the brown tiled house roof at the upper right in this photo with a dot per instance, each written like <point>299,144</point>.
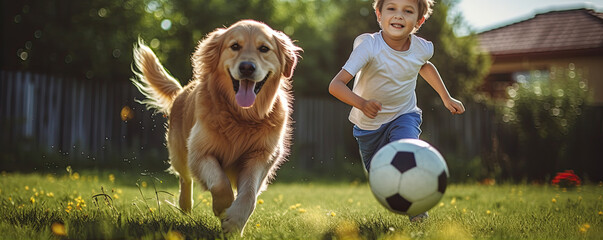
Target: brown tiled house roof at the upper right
<point>556,31</point>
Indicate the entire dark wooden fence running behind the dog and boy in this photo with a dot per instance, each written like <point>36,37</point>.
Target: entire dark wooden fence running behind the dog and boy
<point>81,119</point>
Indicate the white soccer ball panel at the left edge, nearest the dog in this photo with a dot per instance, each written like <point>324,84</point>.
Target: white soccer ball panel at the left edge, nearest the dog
<point>384,181</point>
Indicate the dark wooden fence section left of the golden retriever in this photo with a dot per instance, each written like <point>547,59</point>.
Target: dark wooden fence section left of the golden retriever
<point>43,113</point>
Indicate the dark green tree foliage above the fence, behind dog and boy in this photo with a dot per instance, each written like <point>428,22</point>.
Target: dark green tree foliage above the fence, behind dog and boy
<point>93,39</point>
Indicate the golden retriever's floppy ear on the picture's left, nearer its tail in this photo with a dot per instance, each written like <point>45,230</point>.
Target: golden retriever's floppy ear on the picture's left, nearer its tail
<point>207,55</point>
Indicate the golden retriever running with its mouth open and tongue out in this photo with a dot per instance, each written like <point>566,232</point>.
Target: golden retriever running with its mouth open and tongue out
<point>230,125</point>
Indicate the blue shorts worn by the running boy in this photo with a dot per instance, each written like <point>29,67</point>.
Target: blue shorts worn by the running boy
<point>370,141</point>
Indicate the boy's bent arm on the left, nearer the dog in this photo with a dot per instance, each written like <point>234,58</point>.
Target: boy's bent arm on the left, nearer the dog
<point>338,88</point>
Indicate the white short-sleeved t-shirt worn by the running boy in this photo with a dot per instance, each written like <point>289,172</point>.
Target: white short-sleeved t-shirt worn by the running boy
<point>386,75</point>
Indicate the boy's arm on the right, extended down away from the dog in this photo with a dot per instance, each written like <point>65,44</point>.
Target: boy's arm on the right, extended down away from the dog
<point>431,75</point>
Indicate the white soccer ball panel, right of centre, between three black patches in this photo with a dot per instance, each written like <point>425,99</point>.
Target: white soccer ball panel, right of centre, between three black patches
<point>417,184</point>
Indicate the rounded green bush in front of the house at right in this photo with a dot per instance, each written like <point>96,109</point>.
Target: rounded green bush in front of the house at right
<point>542,114</point>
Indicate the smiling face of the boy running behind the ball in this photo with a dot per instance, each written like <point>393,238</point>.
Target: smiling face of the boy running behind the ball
<point>399,18</point>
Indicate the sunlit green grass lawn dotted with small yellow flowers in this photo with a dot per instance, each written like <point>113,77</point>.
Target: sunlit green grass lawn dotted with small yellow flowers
<point>32,203</point>
